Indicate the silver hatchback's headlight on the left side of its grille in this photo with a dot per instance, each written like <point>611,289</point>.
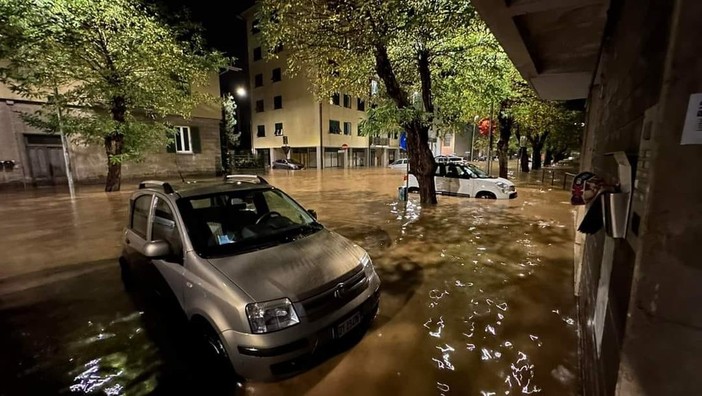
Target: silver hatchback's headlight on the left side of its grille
<point>269,316</point>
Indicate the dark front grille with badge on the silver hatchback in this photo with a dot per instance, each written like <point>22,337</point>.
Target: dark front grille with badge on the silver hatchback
<point>345,289</point>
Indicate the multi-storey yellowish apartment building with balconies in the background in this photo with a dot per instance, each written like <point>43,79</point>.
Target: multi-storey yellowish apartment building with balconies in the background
<point>287,121</point>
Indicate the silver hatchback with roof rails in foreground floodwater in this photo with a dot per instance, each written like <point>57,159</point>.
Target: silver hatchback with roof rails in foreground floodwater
<point>264,283</point>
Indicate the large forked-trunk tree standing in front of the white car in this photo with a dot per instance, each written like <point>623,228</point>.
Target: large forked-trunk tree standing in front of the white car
<point>405,45</point>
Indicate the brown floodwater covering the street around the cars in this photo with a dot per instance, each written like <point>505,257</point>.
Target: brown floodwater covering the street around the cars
<point>476,296</point>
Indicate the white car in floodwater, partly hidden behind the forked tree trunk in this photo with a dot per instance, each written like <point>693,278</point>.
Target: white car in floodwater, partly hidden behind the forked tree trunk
<point>467,181</point>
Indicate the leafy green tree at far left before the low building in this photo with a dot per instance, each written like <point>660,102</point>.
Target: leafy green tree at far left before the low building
<point>117,70</point>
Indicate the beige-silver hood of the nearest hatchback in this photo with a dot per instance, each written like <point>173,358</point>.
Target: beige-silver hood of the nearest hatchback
<point>294,269</point>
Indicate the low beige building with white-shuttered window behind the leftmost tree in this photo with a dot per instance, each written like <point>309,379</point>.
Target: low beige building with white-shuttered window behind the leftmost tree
<point>32,157</point>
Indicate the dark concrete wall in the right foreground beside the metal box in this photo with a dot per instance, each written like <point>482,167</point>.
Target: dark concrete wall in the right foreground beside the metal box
<point>652,342</point>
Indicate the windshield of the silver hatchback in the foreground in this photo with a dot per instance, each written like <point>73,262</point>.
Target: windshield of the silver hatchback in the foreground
<point>227,222</point>
